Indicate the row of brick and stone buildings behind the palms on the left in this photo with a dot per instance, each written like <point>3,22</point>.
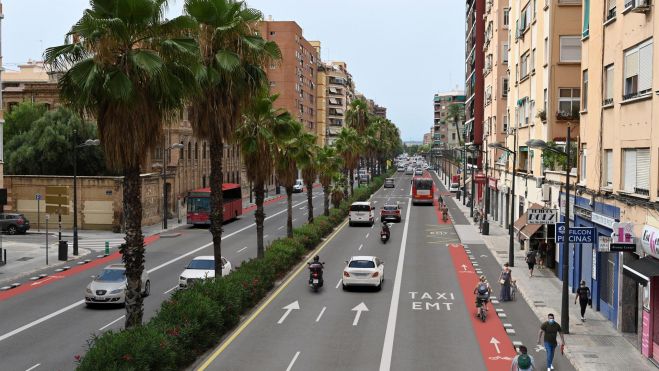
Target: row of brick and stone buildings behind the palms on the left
<point>317,93</point>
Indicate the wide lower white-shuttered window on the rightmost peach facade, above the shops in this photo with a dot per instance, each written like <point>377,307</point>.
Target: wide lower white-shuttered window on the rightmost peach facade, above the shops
<point>636,171</point>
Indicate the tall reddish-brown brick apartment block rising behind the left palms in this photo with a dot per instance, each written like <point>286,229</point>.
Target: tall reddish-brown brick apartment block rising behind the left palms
<point>294,77</point>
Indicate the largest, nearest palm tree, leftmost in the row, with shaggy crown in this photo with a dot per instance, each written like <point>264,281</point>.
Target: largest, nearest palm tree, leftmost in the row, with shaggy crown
<point>122,65</point>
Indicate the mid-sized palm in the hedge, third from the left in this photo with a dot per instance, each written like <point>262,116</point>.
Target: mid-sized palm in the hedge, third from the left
<point>261,125</point>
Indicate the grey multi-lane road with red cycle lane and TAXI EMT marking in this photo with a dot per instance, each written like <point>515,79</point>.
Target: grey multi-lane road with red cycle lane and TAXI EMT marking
<point>422,319</point>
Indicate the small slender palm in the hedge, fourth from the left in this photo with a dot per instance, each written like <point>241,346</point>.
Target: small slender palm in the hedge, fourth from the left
<point>286,166</point>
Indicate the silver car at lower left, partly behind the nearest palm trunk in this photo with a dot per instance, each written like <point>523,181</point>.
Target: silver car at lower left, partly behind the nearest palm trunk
<point>109,287</point>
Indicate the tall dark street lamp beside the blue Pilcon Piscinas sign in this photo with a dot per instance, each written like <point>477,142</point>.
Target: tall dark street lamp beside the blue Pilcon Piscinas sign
<point>542,145</point>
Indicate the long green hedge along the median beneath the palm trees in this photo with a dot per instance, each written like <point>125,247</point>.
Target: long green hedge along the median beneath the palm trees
<point>193,321</point>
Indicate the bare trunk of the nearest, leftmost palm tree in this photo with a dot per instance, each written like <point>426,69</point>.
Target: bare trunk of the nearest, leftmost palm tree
<point>133,250</point>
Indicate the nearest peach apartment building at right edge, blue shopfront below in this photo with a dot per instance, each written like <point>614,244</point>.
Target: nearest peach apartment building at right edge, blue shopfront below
<point>618,174</point>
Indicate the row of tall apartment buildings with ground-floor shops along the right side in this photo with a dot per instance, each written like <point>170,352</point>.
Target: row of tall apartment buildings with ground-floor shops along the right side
<point>536,69</point>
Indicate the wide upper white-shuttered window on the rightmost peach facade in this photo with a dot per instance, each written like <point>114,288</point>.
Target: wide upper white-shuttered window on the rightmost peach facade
<point>638,70</point>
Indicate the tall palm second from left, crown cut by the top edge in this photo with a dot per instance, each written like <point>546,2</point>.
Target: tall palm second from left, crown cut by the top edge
<point>231,75</point>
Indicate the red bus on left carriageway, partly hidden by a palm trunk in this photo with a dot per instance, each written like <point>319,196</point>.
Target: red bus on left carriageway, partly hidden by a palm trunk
<point>199,204</point>
